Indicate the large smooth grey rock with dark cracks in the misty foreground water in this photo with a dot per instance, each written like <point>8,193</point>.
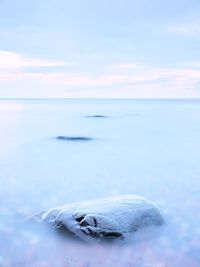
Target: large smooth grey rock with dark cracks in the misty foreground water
<point>115,217</point>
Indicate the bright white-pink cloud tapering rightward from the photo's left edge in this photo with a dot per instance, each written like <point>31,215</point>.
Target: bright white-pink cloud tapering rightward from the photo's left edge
<point>15,61</point>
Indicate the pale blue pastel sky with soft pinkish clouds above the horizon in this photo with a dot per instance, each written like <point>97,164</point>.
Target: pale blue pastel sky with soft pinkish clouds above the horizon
<point>100,48</point>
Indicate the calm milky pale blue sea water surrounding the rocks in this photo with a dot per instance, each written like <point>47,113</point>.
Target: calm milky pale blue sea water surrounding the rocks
<point>151,148</point>
